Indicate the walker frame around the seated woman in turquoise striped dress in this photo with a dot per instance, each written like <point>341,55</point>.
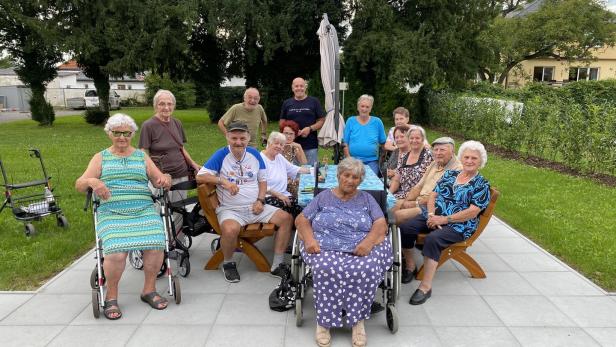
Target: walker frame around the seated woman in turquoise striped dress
<point>97,277</point>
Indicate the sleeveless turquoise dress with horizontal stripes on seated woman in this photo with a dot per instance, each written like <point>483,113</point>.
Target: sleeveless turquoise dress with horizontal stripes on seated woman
<point>128,220</point>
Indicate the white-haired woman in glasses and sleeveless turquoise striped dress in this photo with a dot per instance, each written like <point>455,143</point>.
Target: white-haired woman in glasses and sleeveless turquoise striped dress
<point>127,219</point>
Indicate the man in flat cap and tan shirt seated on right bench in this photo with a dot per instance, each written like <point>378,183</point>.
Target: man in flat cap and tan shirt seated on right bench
<point>407,211</point>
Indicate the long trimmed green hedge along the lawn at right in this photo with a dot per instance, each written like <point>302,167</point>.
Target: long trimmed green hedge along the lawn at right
<point>574,125</point>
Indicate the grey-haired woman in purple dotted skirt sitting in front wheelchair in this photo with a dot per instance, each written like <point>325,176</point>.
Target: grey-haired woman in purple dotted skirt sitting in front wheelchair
<point>342,232</point>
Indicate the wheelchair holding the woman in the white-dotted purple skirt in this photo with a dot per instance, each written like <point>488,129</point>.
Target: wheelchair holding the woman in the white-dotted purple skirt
<point>390,286</point>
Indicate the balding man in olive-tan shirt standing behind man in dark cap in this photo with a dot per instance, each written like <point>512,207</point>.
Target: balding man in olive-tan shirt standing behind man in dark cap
<point>250,113</point>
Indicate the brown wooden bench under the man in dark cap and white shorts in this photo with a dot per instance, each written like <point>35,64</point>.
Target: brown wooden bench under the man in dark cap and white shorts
<point>248,236</point>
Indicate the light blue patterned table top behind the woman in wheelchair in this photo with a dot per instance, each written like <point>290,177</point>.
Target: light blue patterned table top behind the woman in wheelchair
<point>306,185</point>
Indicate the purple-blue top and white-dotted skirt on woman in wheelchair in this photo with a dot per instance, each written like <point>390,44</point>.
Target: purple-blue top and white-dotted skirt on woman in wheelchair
<point>344,284</point>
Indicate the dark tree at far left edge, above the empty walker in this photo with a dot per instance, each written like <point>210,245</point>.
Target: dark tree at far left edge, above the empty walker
<point>28,33</point>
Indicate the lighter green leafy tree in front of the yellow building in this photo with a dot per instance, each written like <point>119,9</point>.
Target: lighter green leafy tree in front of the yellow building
<point>561,29</point>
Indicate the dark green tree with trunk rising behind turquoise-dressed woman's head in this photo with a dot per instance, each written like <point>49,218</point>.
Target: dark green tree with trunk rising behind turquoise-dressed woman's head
<point>115,37</point>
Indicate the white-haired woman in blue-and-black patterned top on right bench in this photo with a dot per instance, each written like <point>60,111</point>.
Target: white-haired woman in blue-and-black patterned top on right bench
<point>452,213</point>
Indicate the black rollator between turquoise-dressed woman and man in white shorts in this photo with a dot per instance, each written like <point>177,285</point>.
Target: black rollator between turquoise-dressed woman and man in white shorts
<point>193,224</point>
